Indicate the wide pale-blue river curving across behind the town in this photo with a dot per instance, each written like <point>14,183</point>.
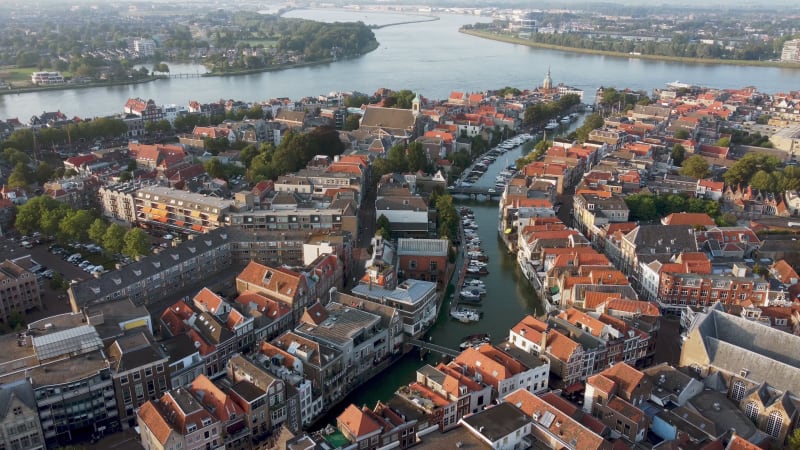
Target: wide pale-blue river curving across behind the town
<point>431,58</point>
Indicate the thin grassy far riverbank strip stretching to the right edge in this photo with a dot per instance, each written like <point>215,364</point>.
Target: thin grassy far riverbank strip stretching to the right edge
<point>678,59</point>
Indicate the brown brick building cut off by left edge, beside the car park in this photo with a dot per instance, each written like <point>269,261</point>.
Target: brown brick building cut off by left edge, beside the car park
<point>20,292</point>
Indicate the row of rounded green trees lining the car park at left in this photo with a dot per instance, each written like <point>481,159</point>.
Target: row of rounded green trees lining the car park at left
<point>53,218</point>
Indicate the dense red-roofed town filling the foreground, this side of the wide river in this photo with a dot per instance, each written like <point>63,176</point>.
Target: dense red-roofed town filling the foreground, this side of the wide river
<point>223,275</point>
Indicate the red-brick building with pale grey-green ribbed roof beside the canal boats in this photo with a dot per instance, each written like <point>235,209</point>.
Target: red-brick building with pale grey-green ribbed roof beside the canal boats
<point>422,259</point>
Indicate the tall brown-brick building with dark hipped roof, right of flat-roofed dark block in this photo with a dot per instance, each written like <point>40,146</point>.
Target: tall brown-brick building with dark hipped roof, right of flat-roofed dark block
<point>140,373</point>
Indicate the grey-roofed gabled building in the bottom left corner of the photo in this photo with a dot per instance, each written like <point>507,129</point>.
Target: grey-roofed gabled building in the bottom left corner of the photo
<point>19,418</point>
